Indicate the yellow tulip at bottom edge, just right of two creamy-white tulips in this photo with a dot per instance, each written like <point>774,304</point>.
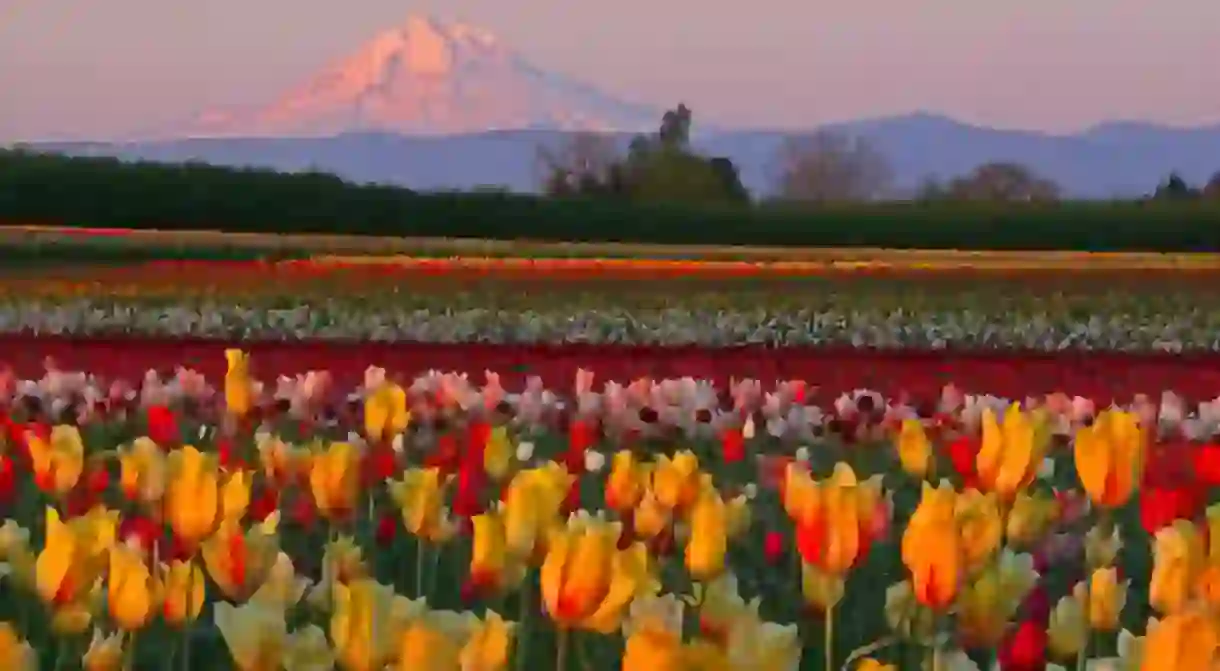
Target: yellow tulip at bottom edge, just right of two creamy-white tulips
<point>361,630</point>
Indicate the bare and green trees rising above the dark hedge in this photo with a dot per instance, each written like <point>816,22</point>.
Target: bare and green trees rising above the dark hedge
<point>825,168</point>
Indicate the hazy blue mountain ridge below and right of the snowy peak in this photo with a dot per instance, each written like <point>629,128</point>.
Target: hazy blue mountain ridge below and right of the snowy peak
<point>1113,160</point>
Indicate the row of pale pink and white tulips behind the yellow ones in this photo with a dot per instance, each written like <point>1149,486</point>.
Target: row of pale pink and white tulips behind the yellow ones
<point>783,411</point>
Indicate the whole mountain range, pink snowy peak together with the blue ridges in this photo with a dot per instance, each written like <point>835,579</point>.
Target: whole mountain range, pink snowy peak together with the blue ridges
<point>436,106</point>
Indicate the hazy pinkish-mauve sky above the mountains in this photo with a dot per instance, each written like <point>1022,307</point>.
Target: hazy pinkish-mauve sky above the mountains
<point>104,68</point>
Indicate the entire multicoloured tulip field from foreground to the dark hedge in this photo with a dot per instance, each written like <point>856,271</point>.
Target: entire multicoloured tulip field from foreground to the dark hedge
<point>892,461</point>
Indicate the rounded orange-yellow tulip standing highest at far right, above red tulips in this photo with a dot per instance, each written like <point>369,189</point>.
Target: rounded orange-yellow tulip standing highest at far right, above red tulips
<point>1110,458</point>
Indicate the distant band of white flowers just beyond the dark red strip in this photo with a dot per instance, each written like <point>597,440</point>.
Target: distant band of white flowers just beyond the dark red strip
<point>863,328</point>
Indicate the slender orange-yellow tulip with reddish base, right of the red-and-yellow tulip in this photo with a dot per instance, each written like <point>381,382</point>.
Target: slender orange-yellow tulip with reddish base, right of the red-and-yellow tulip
<point>933,548</point>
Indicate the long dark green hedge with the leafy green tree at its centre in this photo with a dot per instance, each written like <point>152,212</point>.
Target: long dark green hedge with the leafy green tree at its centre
<point>634,206</point>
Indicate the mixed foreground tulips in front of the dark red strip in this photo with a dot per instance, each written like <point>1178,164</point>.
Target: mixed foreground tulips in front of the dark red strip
<point>669,525</point>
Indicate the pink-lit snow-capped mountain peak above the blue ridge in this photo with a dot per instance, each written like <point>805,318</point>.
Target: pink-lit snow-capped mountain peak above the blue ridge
<point>431,79</point>
